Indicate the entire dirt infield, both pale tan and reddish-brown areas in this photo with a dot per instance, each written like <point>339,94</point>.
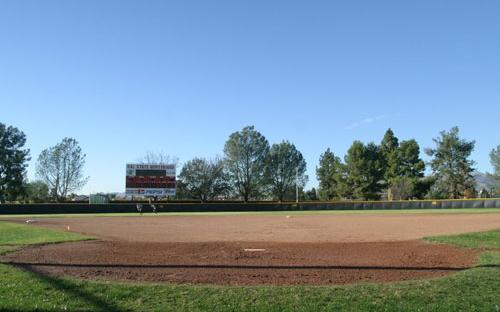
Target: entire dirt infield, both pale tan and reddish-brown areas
<point>257,249</point>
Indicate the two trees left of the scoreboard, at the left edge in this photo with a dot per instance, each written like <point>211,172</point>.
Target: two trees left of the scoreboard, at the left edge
<point>59,169</point>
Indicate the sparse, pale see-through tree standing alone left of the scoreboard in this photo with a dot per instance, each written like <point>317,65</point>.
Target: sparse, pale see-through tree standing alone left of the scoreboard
<point>61,168</point>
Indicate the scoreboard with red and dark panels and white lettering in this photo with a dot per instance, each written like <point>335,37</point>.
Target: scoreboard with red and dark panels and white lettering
<point>150,179</point>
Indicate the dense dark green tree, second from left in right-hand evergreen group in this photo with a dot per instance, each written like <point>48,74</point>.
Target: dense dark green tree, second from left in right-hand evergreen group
<point>364,170</point>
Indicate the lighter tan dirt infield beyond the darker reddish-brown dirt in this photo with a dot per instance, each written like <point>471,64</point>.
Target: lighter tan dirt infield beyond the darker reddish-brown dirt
<point>275,228</point>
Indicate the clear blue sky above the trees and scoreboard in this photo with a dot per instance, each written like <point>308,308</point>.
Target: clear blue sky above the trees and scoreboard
<point>124,77</point>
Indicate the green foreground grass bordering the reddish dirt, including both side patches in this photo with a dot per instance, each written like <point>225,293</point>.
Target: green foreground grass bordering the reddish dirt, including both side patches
<point>477,289</point>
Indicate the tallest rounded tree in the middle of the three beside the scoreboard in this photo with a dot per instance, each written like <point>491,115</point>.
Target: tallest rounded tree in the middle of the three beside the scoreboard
<point>246,153</point>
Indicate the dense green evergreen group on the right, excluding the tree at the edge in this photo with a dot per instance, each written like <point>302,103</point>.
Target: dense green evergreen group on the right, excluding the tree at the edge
<point>393,170</point>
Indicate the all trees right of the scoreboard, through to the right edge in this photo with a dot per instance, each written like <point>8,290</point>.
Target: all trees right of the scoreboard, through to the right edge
<point>393,170</point>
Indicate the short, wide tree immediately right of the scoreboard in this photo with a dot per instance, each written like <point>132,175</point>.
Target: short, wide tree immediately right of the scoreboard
<point>203,179</point>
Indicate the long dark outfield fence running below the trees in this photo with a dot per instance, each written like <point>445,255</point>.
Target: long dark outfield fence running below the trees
<point>227,206</point>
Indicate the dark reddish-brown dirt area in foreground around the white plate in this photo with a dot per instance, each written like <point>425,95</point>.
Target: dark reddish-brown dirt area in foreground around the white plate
<point>245,263</point>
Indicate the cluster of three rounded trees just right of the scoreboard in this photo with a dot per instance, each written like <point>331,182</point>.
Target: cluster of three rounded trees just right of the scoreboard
<point>251,169</point>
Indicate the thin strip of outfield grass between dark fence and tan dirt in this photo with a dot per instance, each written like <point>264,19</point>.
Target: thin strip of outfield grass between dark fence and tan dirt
<point>290,212</point>
